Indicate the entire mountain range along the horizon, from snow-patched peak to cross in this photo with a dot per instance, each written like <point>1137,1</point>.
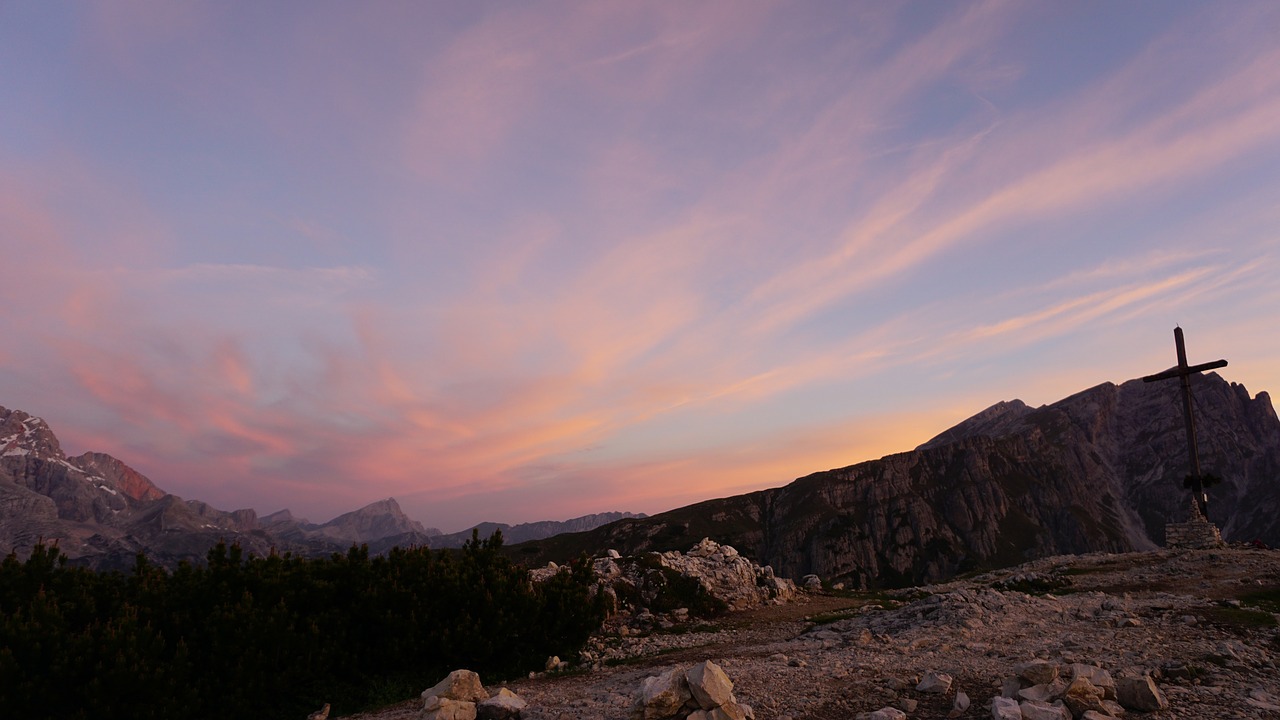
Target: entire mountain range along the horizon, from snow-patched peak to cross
<point>1100,471</point>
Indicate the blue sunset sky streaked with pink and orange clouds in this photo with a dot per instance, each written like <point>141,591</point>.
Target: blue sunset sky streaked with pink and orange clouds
<point>522,262</point>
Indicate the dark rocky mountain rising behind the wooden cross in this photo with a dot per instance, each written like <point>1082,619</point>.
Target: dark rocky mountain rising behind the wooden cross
<point>1100,471</point>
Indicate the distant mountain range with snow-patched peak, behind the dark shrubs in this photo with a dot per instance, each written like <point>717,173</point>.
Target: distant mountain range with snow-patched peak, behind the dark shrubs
<point>103,513</point>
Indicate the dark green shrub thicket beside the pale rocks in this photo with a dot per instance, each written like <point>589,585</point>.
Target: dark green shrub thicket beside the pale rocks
<point>275,637</point>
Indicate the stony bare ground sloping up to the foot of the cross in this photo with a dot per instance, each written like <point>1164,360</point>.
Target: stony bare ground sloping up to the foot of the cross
<point>1201,623</point>
